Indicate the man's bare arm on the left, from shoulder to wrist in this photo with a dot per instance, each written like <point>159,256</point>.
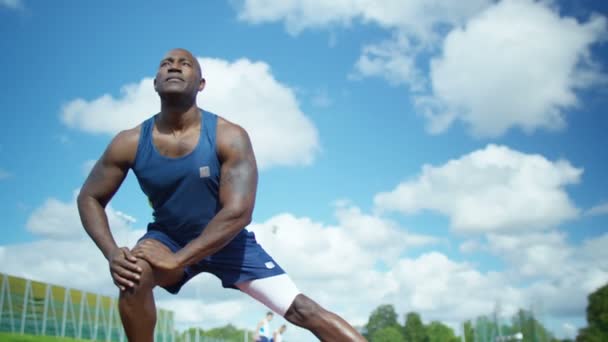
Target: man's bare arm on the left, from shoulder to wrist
<point>102,183</point>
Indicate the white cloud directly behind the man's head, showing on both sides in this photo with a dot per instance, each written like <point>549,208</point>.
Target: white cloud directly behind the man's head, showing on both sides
<point>280,132</point>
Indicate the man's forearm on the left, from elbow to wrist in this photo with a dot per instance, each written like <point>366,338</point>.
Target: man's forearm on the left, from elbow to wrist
<point>95,222</point>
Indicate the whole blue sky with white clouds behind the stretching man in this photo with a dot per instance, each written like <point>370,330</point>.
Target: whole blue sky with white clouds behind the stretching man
<point>411,152</point>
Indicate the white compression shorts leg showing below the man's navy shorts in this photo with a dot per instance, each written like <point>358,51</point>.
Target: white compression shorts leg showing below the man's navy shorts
<point>276,292</point>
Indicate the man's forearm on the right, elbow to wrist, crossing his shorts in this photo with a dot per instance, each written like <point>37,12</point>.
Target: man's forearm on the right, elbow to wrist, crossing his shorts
<point>218,233</point>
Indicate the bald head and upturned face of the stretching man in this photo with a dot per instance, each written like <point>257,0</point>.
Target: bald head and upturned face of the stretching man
<point>178,73</point>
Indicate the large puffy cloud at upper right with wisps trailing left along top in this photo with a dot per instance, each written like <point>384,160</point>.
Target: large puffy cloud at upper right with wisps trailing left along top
<point>505,64</point>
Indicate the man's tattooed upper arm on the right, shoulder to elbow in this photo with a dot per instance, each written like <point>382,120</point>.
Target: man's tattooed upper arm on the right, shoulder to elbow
<point>239,176</point>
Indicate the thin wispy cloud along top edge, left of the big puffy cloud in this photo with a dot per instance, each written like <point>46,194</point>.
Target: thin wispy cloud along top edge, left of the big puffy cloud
<point>416,27</point>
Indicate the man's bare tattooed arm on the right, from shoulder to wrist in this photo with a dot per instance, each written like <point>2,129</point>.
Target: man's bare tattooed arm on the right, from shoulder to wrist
<point>238,184</point>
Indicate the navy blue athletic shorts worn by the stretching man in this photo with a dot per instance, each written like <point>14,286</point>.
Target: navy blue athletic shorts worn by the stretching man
<point>242,259</point>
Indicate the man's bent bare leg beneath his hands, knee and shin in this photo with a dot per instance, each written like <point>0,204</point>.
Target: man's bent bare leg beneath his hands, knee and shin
<point>136,305</point>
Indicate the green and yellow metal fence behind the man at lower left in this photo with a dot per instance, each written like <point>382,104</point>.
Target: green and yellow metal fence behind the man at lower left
<point>37,308</point>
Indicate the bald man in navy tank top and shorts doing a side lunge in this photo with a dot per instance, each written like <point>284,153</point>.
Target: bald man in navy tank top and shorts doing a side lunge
<point>199,173</point>
